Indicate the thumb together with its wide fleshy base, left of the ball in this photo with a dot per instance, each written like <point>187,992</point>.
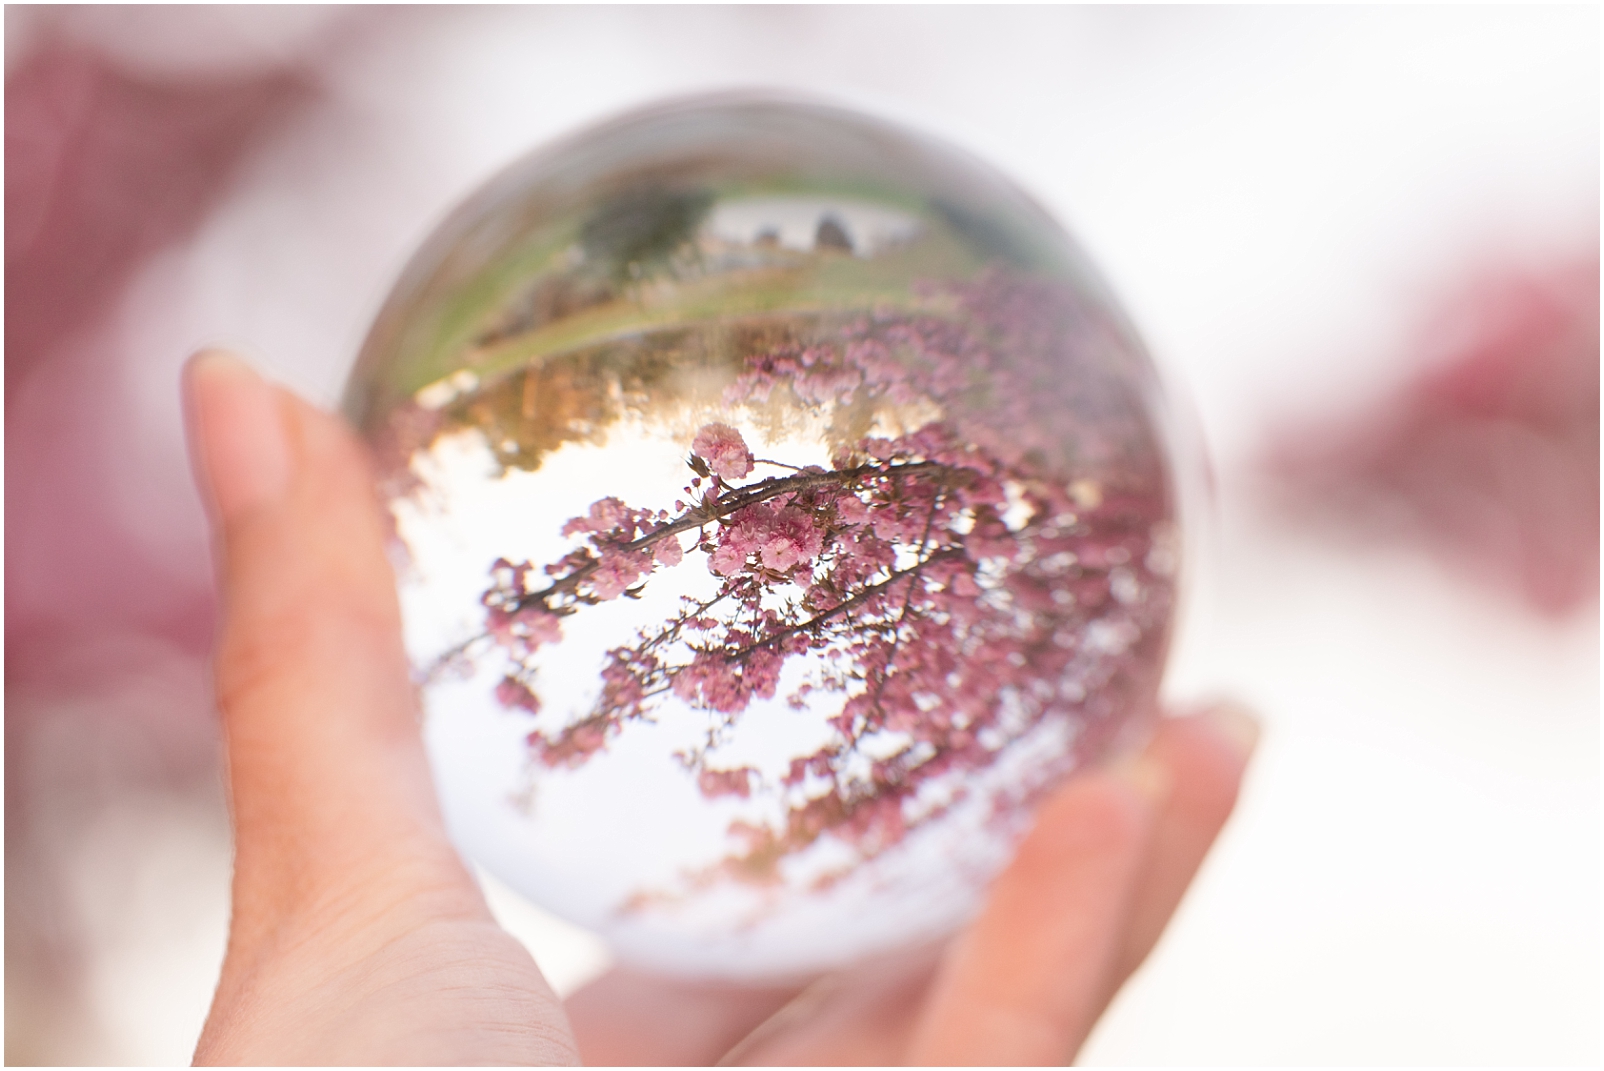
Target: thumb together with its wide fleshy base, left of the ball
<point>357,932</point>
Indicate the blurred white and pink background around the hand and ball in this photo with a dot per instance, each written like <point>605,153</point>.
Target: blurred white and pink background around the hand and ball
<point>1361,243</point>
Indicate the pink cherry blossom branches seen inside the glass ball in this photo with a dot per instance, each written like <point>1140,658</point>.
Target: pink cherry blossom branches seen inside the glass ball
<point>942,591</point>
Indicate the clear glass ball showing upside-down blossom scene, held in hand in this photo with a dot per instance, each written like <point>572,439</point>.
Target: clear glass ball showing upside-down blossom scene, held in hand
<point>782,509</point>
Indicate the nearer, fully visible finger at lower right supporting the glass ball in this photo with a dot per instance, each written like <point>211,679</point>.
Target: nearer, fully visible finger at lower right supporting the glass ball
<point>1024,984</point>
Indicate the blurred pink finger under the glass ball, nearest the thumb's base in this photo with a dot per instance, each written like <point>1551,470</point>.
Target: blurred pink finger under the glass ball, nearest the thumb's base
<point>633,1019</point>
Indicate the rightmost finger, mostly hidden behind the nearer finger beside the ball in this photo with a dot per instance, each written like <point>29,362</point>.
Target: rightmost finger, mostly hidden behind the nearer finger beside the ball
<point>1205,758</point>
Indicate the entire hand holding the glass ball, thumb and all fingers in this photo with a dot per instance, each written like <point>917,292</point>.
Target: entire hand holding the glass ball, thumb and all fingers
<point>360,937</point>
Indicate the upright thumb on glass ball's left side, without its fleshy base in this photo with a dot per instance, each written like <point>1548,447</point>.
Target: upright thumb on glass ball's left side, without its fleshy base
<point>330,786</point>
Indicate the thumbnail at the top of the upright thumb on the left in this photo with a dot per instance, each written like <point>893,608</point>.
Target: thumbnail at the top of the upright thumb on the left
<point>237,435</point>
